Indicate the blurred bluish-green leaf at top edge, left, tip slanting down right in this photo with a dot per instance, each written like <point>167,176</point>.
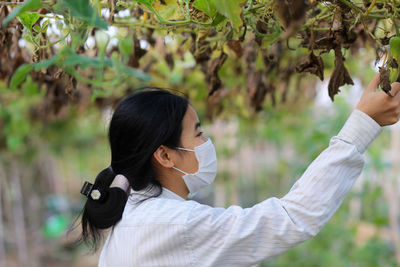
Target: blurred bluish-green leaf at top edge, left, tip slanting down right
<point>84,11</point>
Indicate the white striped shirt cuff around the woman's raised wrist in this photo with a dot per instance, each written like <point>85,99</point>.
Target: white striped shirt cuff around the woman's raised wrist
<point>360,129</point>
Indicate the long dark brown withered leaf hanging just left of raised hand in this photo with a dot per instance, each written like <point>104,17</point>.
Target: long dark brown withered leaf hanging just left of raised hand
<point>340,76</point>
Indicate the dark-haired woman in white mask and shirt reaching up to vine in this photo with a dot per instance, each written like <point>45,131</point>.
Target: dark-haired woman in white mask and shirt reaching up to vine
<point>159,155</point>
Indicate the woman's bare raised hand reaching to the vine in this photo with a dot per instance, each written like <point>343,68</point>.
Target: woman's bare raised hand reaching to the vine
<point>384,109</point>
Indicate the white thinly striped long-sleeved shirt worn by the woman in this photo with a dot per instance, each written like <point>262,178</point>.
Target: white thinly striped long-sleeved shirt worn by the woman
<point>171,231</point>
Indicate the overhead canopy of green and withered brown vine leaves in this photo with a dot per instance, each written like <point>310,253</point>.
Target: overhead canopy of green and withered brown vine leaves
<point>264,43</point>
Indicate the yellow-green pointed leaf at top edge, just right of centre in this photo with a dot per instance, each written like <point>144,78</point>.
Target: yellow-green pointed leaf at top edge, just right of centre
<point>231,10</point>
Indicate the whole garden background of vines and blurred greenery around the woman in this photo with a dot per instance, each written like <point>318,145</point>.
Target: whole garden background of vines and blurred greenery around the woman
<point>271,81</point>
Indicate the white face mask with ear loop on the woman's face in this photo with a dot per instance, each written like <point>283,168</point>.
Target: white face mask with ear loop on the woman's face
<point>205,175</point>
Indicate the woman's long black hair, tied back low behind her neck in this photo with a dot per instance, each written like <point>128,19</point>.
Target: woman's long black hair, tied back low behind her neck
<point>143,121</point>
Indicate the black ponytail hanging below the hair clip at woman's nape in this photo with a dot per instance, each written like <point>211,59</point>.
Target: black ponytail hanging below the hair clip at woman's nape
<point>98,215</point>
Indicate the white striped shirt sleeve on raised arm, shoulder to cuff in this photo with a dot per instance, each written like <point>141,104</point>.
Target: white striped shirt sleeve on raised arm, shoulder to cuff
<point>237,236</point>
